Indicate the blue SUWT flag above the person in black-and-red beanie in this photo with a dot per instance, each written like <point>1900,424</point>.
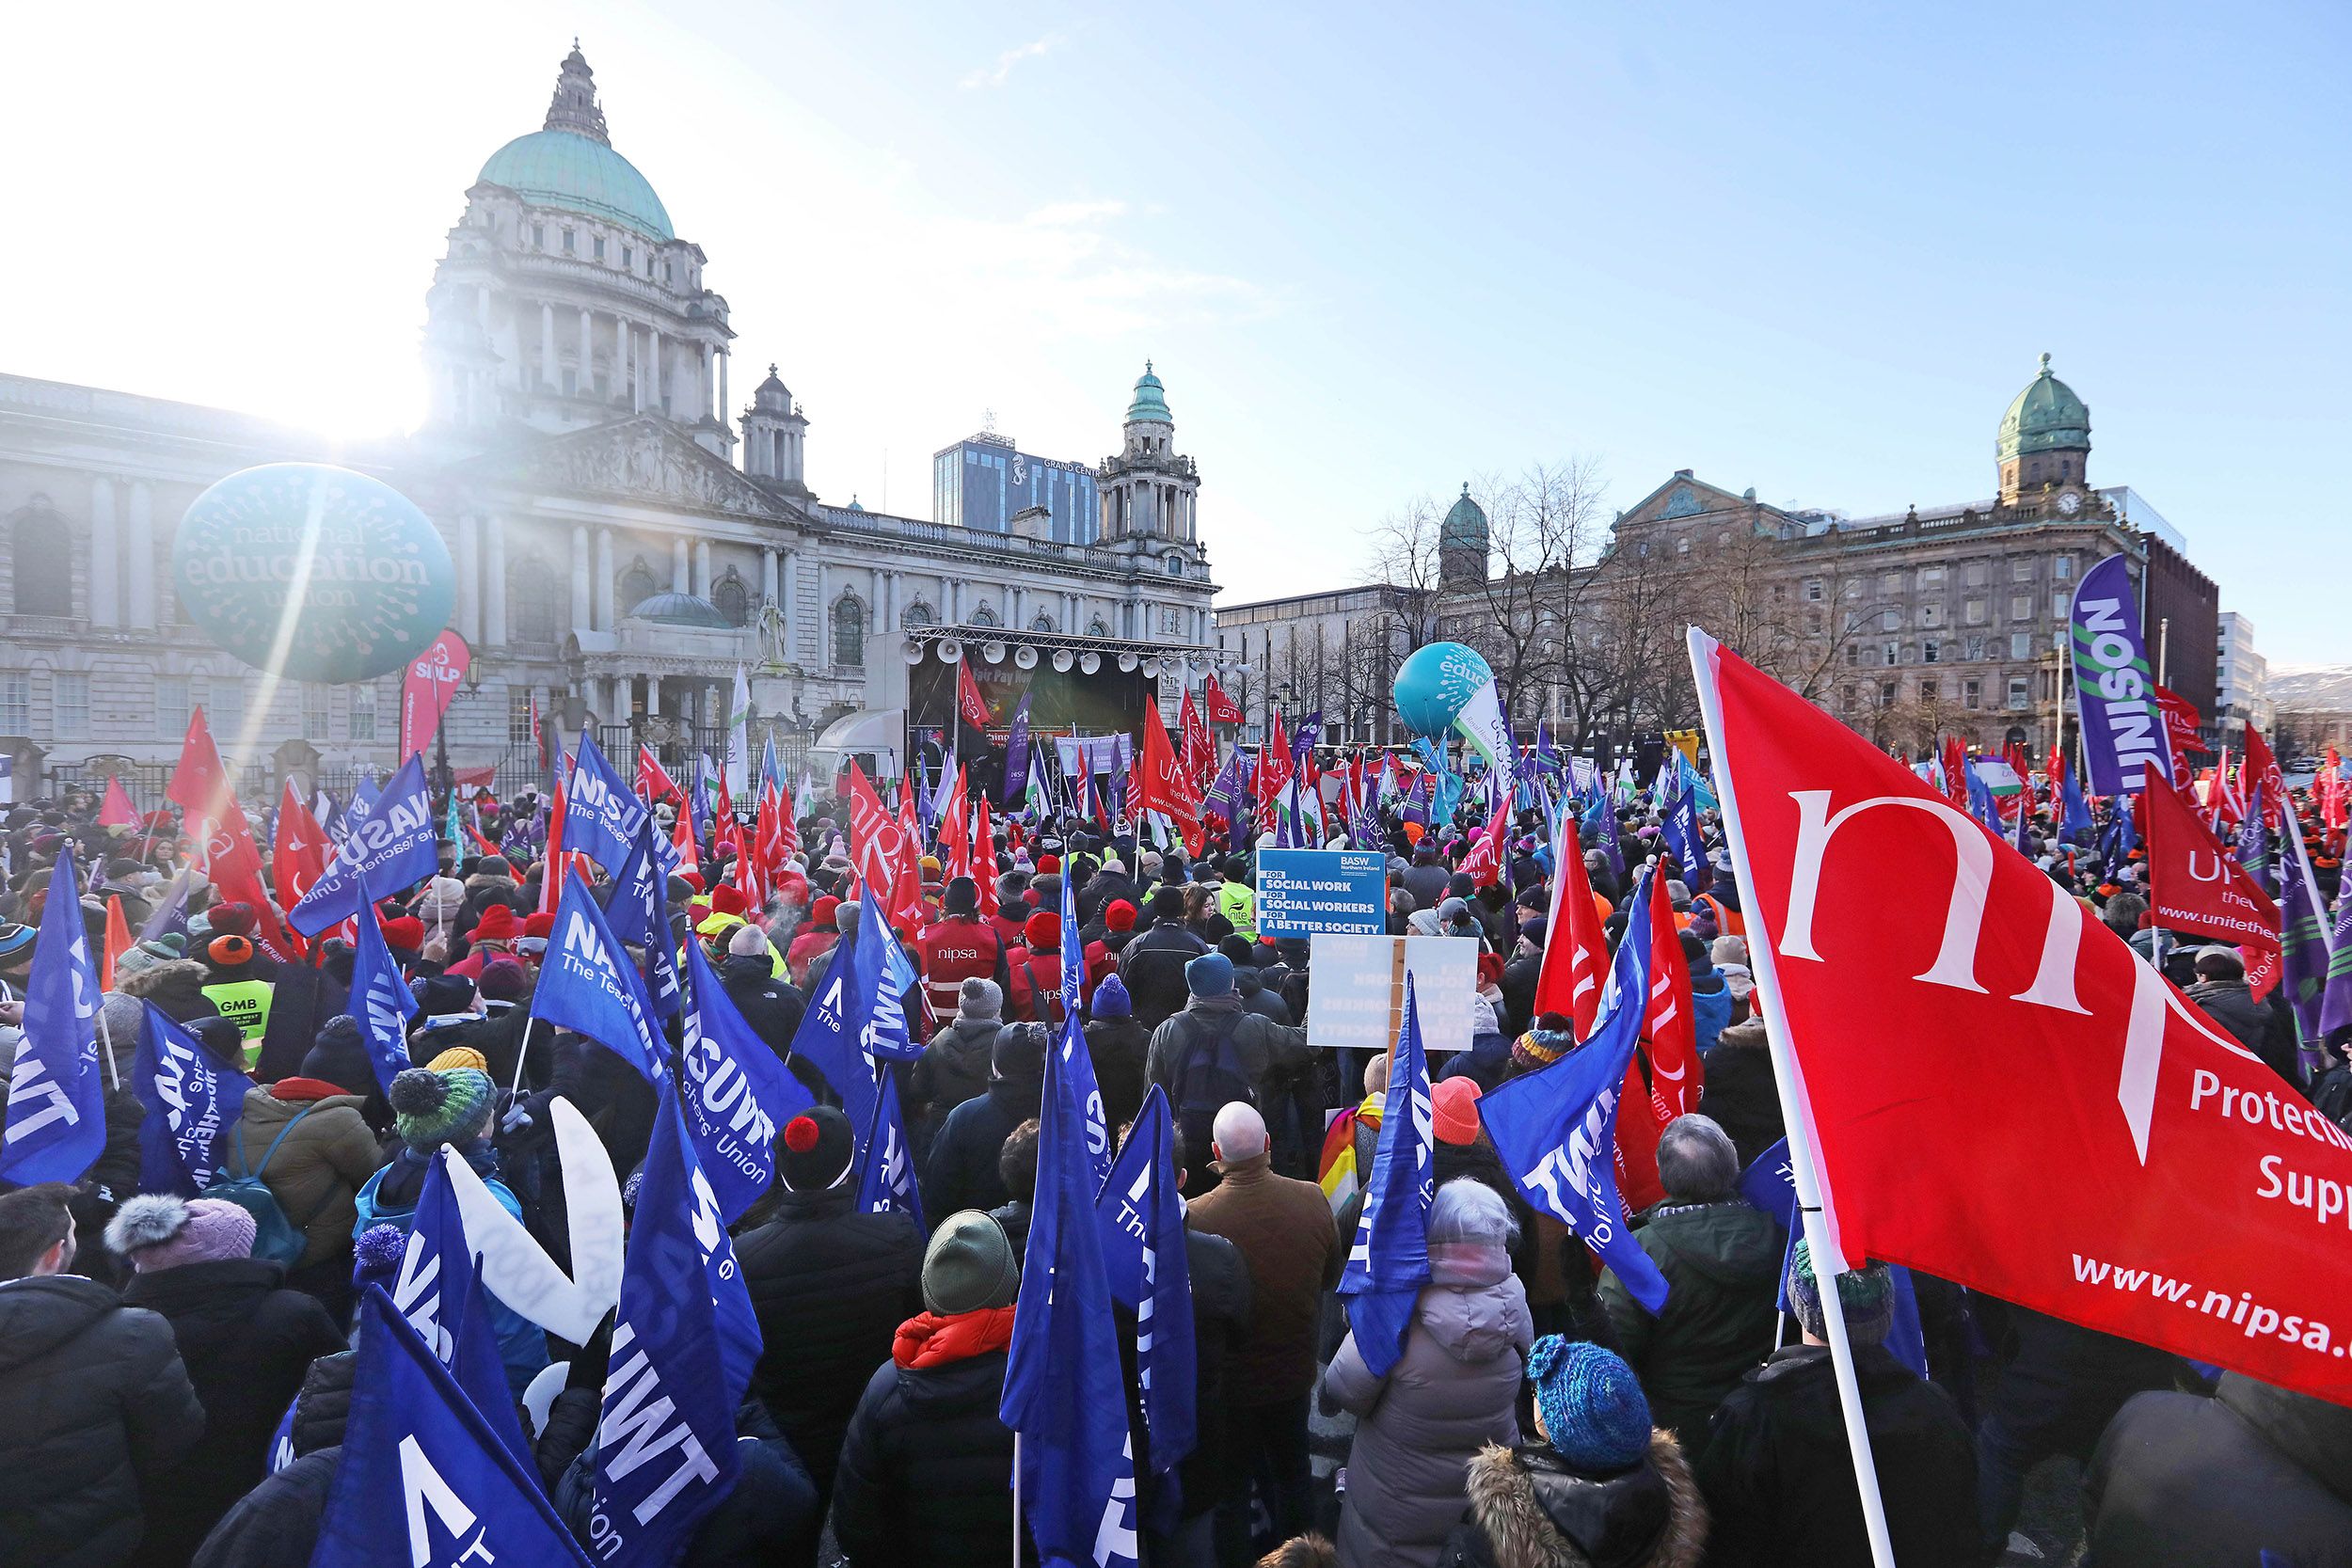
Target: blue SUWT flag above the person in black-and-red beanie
<point>737,1092</point>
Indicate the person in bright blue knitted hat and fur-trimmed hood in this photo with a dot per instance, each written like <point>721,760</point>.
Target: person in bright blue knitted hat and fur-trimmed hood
<point>1598,1487</point>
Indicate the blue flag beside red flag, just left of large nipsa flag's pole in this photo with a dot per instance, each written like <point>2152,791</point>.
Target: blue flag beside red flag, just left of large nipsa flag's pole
<point>1556,1130</point>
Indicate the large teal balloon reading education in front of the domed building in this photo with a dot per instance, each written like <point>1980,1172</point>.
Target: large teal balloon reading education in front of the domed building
<point>345,568</point>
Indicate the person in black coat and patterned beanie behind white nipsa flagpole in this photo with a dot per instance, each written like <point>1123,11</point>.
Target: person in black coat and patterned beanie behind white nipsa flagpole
<point>1779,1466</point>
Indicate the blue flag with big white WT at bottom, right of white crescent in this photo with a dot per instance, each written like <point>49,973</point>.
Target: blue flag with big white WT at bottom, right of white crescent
<point>667,1438</point>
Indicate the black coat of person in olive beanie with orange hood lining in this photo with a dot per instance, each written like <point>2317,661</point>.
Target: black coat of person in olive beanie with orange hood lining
<point>928,1468</point>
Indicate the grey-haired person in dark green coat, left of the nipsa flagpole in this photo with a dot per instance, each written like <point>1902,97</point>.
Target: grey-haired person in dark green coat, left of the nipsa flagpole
<point>1720,1259</point>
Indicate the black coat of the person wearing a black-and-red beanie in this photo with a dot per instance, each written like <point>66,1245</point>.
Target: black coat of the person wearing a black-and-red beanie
<point>831,1287</point>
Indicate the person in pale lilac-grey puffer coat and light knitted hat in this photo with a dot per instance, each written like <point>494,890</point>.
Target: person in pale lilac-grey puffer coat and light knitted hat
<point>1450,1395</point>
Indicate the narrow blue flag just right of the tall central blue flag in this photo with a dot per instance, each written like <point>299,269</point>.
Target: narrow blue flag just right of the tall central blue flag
<point>1144,1254</point>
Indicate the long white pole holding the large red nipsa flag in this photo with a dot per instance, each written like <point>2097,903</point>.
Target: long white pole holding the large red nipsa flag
<point>1798,1113</point>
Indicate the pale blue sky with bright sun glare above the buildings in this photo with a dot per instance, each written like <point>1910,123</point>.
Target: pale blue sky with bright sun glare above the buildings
<point>1375,250</point>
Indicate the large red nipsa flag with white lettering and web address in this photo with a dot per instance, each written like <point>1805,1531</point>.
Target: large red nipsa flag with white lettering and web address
<point>1998,1090</point>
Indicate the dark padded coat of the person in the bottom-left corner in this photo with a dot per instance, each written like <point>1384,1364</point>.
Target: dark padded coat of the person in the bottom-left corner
<point>95,1409</point>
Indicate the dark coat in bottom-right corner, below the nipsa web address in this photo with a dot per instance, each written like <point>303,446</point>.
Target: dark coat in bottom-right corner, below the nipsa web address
<point>2181,1480</point>
